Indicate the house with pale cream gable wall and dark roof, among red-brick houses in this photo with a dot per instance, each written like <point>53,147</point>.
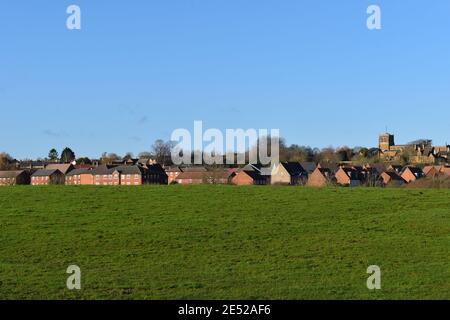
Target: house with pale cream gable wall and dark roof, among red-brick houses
<point>291,173</point>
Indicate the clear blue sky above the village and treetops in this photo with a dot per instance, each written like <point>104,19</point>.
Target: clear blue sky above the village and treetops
<point>140,69</point>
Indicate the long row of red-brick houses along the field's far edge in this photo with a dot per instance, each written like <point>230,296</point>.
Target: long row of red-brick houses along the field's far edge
<point>284,173</point>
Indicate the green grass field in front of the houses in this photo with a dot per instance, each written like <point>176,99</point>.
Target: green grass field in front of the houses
<point>224,242</point>
